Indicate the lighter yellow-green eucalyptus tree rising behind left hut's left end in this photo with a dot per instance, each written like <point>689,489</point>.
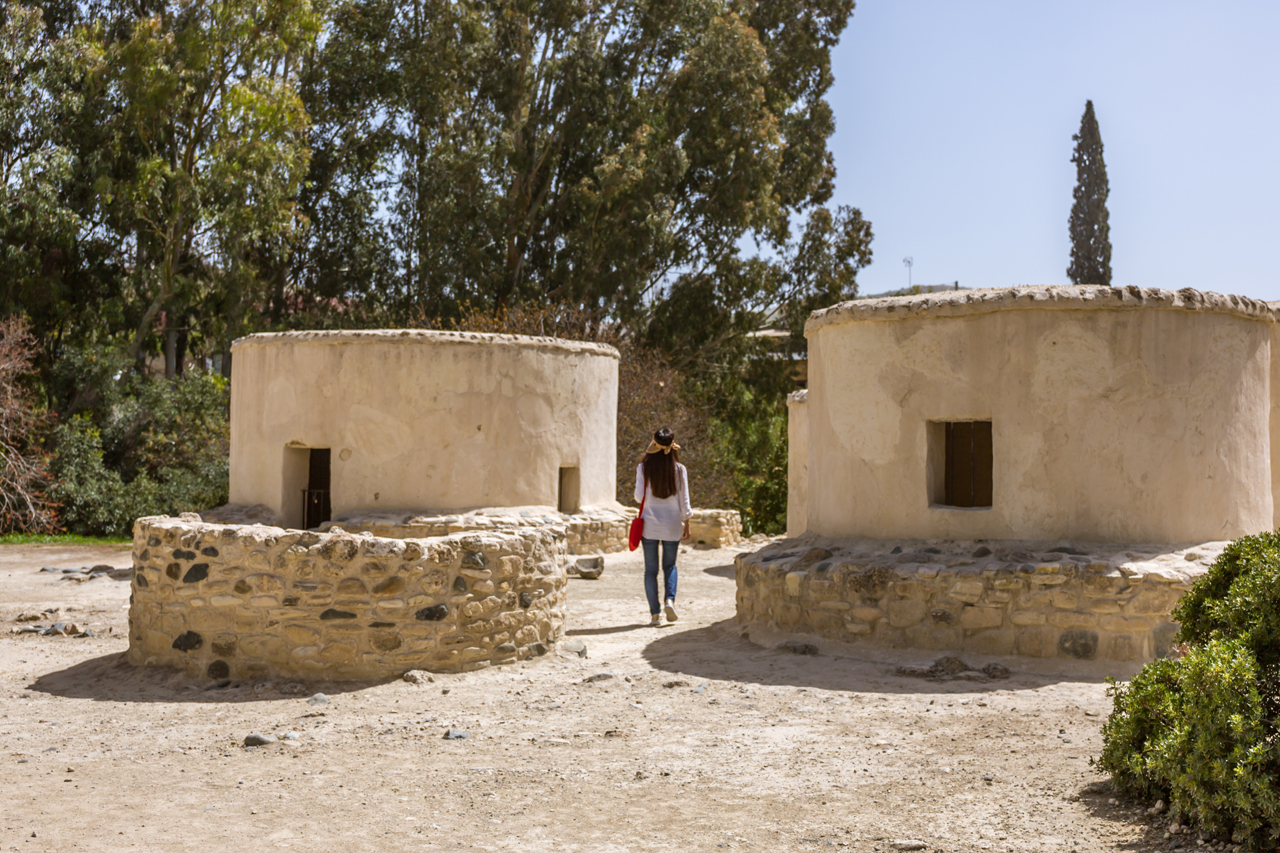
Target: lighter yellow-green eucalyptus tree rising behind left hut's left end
<point>208,107</point>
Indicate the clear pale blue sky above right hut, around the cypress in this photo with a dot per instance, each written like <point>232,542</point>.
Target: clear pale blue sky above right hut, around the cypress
<point>954,138</point>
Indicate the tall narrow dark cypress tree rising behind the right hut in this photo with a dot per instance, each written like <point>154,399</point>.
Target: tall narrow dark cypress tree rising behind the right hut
<point>1091,232</point>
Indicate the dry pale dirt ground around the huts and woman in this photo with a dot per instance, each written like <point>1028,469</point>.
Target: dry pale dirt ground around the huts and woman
<point>702,741</point>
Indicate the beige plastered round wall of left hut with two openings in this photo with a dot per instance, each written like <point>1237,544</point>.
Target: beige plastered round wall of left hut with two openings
<point>422,421</point>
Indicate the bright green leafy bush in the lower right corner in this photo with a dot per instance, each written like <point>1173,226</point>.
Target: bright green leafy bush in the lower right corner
<point>1203,729</point>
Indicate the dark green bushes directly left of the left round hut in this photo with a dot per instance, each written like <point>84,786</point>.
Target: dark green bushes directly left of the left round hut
<point>138,445</point>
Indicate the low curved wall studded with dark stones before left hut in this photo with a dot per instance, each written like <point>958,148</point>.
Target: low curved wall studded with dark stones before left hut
<point>239,603</point>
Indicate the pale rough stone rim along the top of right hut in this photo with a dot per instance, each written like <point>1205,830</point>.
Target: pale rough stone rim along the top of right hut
<point>1039,297</point>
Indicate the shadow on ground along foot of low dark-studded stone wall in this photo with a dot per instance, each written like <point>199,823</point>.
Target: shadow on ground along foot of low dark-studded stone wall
<point>112,678</point>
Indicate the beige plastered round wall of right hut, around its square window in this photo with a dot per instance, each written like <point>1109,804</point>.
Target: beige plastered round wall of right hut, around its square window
<point>1118,416</point>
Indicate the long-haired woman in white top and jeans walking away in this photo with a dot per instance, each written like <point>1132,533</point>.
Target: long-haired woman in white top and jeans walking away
<point>662,487</point>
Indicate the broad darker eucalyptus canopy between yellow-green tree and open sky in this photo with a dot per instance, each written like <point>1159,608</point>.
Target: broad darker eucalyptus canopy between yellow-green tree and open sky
<point>579,152</point>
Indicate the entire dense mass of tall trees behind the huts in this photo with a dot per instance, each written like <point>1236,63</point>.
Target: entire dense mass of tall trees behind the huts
<point>179,175</point>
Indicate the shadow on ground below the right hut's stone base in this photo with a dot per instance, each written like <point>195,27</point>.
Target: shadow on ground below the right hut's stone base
<point>721,654</point>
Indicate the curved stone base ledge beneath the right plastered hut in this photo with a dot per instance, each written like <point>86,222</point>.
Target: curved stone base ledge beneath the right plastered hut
<point>1040,600</point>
